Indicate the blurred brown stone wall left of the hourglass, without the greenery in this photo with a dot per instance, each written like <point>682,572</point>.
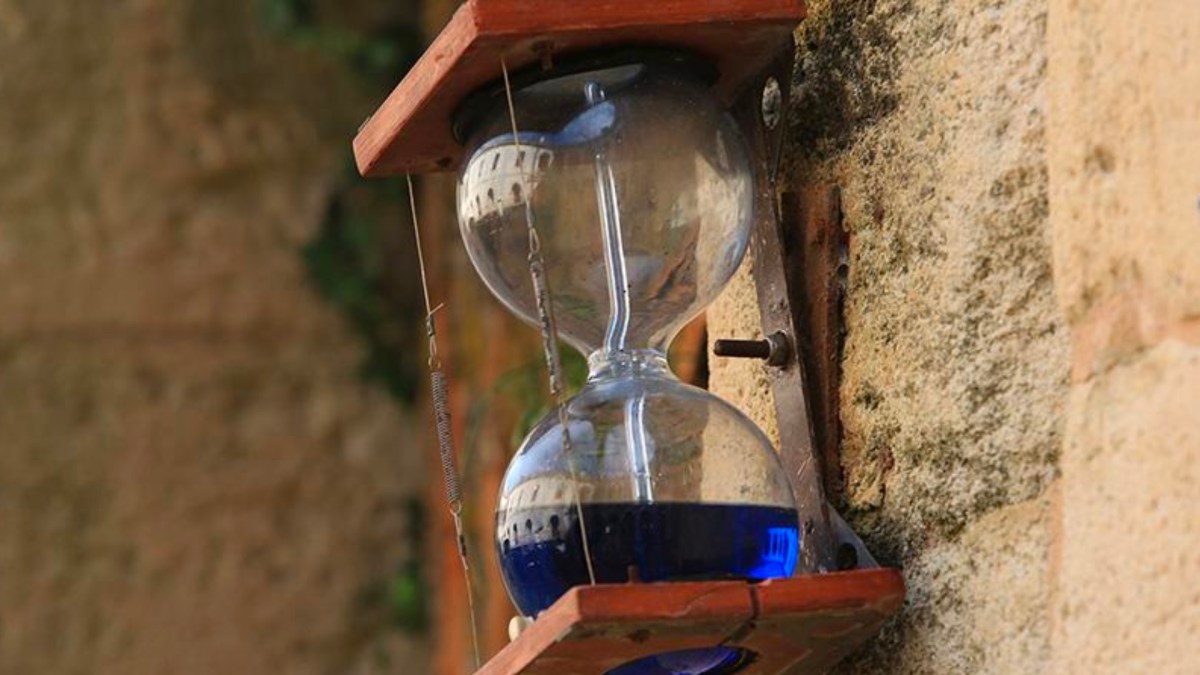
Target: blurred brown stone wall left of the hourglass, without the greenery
<point>193,477</point>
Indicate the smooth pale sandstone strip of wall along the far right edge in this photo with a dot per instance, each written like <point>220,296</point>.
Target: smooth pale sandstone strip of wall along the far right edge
<point>1125,187</point>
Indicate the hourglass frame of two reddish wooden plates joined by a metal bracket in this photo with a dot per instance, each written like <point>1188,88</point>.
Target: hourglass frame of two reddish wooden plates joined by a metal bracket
<point>811,622</point>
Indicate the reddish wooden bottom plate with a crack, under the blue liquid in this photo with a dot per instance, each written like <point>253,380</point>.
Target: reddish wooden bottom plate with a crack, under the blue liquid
<point>814,622</point>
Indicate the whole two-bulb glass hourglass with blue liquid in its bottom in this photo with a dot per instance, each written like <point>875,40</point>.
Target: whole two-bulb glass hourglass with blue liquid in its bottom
<point>641,192</point>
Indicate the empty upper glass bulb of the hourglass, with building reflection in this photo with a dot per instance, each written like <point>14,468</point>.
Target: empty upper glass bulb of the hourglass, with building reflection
<point>644,152</point>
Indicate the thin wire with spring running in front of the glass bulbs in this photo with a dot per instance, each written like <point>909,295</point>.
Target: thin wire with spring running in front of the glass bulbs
<point>549,327</point>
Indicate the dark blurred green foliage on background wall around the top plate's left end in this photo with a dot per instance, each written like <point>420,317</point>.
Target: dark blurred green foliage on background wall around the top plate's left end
<point>358,254</point>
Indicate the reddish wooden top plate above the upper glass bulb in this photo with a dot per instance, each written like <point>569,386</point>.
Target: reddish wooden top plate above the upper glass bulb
<point>412,132</point>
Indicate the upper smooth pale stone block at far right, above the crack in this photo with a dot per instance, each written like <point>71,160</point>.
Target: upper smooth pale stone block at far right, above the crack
<point>1123,147</point>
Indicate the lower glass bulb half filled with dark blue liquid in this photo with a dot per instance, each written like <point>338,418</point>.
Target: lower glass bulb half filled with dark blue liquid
<point>665,482</point>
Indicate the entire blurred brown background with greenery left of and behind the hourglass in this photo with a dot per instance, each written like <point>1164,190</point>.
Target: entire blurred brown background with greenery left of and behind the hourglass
<point>215,446</point>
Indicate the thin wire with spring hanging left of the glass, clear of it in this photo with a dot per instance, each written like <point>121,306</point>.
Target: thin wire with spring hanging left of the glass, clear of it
<point>440,396</point>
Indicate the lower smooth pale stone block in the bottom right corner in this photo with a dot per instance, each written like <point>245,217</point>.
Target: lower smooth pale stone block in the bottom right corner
<point>1129,581</point>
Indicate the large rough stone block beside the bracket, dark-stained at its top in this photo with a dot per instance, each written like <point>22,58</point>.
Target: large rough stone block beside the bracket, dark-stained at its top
<point>932,121</point>
